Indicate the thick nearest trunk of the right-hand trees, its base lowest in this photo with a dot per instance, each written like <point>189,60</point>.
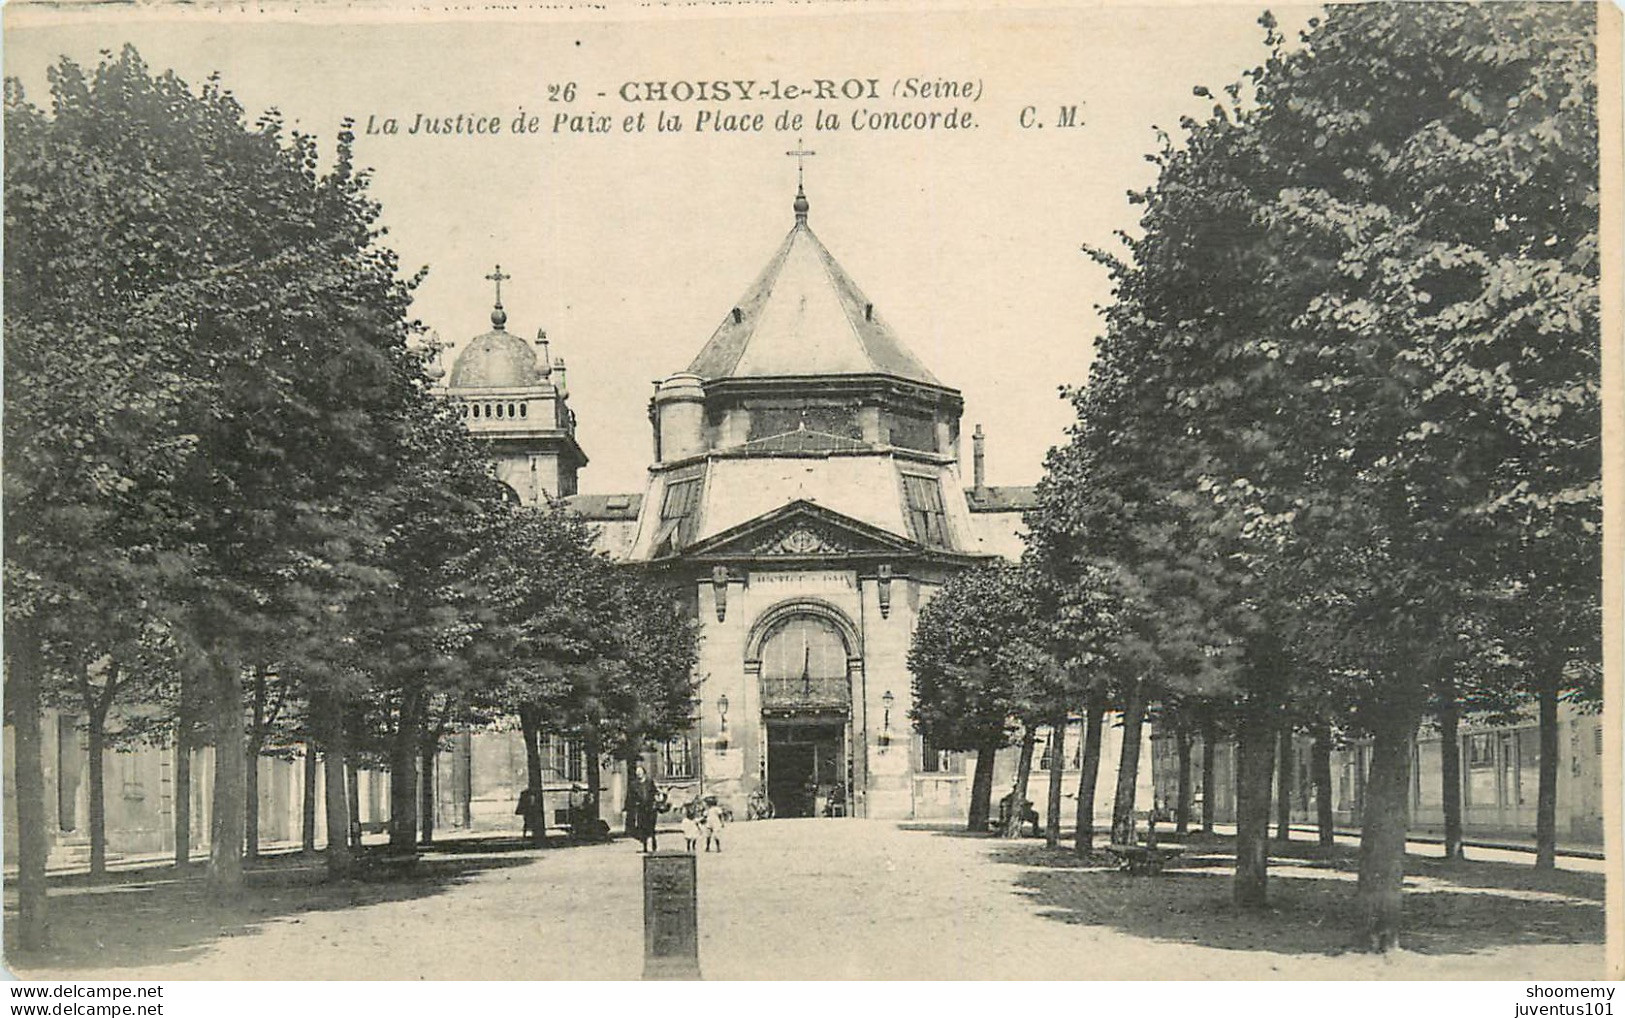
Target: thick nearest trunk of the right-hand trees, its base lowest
<point>1384,830</point>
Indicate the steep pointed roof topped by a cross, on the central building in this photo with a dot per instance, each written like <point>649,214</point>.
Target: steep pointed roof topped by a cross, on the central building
<point>805,316</point>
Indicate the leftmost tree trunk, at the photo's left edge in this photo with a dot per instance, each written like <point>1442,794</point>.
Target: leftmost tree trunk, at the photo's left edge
<point>24,698</point>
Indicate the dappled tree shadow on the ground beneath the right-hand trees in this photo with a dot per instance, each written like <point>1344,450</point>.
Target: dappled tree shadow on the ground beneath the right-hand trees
<point>1450,908</point>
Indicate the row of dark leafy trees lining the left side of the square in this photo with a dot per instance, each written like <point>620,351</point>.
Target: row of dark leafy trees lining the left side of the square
<point>235,511</point>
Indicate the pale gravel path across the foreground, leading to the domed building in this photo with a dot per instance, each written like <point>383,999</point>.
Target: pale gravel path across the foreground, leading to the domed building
<point>838,900</point>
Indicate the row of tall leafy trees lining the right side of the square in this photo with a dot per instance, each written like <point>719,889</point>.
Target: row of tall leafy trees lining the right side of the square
<point>1338,463</point>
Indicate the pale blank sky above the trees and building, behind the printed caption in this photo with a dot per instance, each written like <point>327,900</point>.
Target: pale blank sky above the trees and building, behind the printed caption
<point>630,248</point>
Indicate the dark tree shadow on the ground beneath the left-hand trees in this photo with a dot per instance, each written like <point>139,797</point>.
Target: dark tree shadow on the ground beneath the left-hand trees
<point>154,916</point>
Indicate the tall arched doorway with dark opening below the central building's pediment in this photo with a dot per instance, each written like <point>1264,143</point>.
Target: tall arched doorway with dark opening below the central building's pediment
<point>805,656</point>
